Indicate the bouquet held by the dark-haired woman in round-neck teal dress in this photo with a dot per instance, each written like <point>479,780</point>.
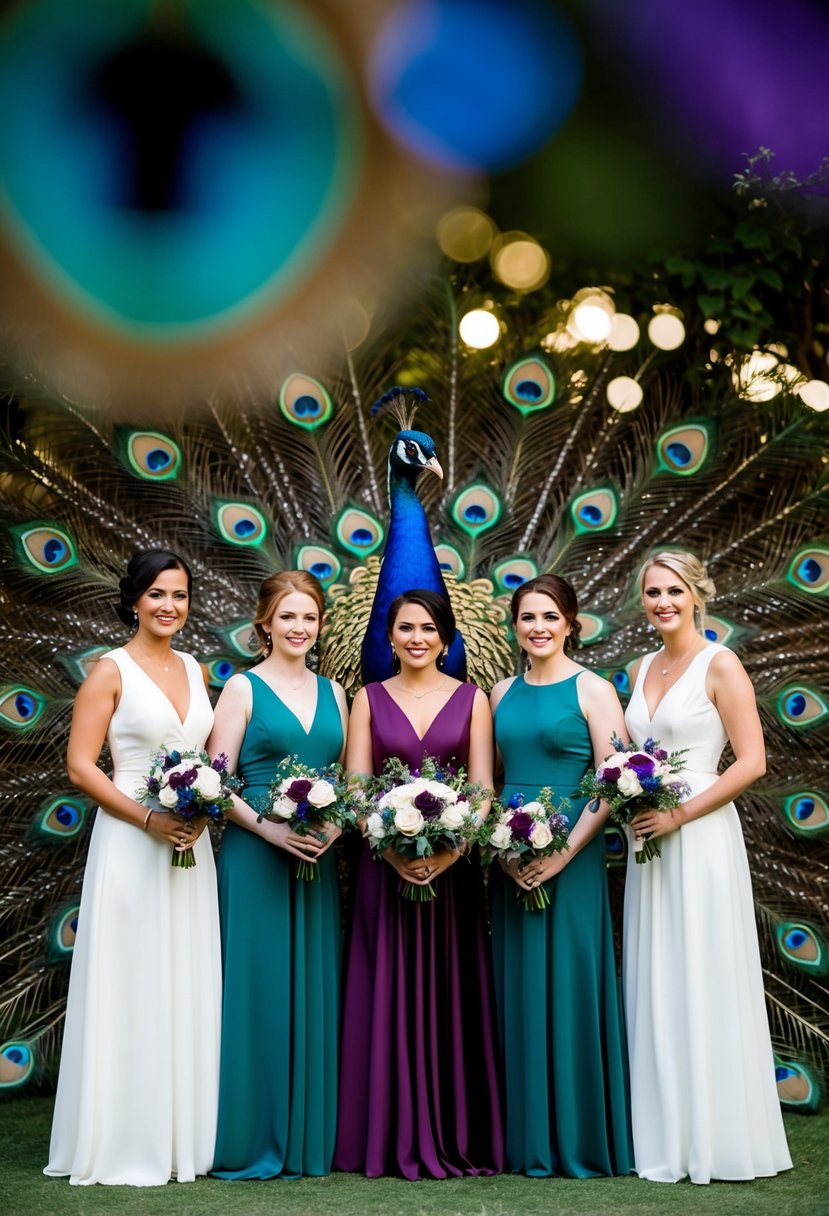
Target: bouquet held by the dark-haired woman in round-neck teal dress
<point>527,831</point>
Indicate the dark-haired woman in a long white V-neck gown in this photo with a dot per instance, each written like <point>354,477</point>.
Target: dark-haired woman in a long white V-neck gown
<point>138,1089</point>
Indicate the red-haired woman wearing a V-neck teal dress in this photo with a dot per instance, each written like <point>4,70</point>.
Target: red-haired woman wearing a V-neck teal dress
<point>280,937</point>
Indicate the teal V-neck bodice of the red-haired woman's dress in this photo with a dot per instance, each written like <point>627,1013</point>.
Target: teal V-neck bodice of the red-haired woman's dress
<point>275,733</point>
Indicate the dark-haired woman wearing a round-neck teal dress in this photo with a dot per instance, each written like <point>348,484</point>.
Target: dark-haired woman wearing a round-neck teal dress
<point>566,1066</point>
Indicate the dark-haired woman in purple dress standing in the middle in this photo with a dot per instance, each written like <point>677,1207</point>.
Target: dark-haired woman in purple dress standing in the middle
<point>420,1091</point>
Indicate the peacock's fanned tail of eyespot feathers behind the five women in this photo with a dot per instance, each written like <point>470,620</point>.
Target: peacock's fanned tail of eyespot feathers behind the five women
<point>539,474</point>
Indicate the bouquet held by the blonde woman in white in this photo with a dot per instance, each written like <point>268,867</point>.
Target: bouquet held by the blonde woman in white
<point>634,780</point>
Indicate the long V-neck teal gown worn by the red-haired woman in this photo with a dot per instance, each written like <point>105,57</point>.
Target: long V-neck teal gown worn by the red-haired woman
<point>280,945</point>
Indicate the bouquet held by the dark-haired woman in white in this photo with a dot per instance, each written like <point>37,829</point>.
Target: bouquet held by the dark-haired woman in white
<point>188,784</point>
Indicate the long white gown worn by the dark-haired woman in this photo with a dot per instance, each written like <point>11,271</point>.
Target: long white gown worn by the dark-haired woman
<point>138,1089</point>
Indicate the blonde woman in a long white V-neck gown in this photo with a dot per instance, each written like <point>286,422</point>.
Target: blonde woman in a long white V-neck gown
<point>704,1099</point>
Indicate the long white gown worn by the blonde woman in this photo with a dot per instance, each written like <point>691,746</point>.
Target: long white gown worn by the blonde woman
<point>703,1091</point>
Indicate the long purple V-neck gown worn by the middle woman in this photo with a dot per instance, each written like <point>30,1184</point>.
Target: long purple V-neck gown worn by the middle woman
<point>420,1091</point>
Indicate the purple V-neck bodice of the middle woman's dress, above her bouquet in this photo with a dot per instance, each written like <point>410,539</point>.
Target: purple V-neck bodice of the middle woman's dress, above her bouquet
<point>393,735</point>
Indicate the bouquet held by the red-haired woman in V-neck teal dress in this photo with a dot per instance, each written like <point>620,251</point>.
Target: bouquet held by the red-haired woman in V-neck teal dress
<point>307,800</point>
